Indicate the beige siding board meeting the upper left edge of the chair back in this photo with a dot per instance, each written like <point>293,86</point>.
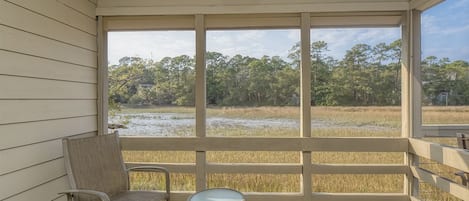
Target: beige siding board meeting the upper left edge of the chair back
<point>21,157</point>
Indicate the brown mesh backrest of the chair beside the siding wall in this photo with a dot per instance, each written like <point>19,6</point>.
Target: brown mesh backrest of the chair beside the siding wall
<point>95,163</point>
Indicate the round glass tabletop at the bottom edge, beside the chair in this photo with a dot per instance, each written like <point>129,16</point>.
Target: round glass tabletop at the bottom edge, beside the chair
<point>217,194</point>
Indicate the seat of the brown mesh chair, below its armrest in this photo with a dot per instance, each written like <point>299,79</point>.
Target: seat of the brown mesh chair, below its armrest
<point>139,196</point>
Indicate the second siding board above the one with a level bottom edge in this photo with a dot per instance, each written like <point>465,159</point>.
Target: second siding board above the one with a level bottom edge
<point>27,43</point>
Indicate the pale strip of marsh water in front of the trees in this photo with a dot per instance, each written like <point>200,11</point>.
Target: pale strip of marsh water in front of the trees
<point>183,124</point>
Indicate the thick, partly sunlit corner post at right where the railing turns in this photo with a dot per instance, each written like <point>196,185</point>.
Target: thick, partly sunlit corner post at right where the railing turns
<point>411,91</point>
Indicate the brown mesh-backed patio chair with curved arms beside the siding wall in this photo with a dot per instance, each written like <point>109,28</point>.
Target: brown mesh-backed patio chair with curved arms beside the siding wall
<point>97,172</point>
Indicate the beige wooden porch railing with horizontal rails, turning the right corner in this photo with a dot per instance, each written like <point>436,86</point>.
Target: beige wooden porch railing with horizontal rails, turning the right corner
<point>449,156</point>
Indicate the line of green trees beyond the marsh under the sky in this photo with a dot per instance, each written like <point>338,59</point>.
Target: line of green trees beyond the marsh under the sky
<point>366,75</point>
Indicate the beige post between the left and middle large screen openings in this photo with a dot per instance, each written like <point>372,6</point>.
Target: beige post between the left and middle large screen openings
<point>200,105</point>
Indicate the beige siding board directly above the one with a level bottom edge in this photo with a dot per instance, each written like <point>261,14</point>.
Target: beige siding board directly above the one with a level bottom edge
<point>29,66</point>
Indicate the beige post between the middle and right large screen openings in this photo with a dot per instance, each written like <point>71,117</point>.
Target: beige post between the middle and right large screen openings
<point>305,128</point>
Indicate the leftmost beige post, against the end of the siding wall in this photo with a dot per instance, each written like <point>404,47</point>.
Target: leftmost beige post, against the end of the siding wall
<point>102,77</point>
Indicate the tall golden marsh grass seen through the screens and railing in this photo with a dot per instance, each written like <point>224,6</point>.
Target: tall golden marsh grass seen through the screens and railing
<point>387,117</point>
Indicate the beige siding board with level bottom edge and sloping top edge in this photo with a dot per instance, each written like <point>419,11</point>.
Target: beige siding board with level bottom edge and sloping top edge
<point>27,88</point>
